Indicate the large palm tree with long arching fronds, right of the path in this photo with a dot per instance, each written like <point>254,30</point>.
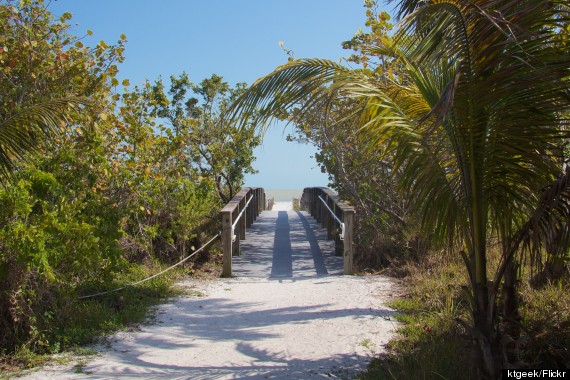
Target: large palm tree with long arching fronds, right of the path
<point>474,122</point>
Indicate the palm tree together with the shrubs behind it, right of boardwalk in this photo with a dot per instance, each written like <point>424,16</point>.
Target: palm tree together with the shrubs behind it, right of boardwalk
<point>454,132</point>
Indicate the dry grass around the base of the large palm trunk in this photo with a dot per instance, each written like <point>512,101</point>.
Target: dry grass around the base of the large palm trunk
<point>431,344</point>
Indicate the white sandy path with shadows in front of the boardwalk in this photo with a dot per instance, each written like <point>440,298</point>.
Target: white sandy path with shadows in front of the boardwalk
<point>251,328</point>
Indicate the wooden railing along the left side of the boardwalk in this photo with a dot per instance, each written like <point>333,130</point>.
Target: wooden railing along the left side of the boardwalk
<point>237,215</point>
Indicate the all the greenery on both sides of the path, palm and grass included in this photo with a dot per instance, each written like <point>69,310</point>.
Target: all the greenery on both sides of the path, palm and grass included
<point>450,137</point>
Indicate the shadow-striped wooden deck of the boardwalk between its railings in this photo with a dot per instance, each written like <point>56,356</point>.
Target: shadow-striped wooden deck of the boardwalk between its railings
<point>286,244</point>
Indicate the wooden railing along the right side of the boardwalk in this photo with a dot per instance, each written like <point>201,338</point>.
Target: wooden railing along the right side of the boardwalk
<point>338,219</point>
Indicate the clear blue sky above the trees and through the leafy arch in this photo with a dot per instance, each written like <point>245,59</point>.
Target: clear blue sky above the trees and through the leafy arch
<point>236,39</point>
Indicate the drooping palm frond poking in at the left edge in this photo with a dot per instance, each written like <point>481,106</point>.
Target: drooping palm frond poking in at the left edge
<point>23,131</point>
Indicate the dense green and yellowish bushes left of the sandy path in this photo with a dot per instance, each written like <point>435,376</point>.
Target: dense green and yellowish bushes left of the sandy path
<point>127,178</point>
